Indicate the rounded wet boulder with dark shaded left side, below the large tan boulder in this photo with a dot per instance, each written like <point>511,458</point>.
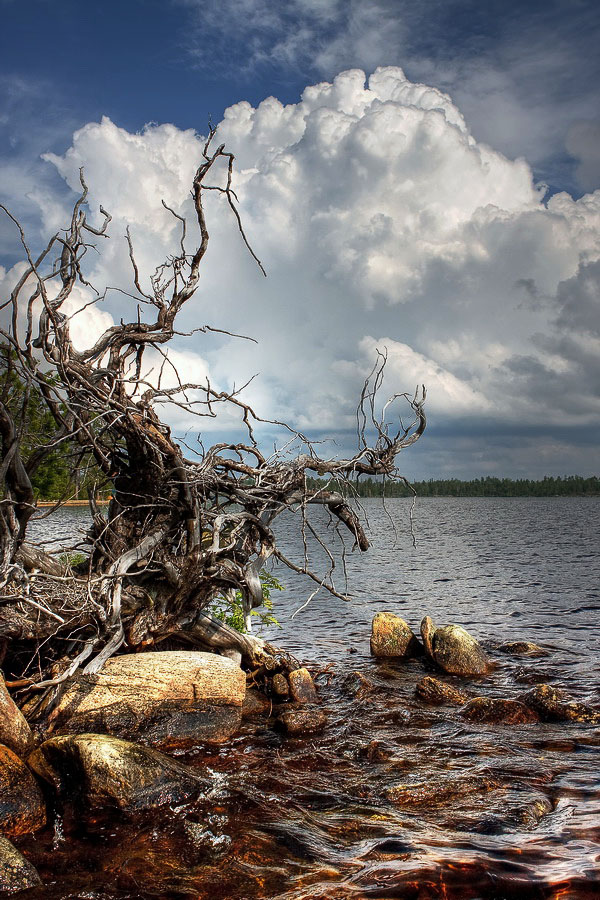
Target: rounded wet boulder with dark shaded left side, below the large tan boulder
<point>98,770</point>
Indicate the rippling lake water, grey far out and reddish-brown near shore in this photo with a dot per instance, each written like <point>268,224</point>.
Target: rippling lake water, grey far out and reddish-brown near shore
<point>497,812</point>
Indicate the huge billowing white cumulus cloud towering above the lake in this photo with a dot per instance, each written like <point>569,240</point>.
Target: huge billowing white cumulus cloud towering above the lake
<point>376,212</point>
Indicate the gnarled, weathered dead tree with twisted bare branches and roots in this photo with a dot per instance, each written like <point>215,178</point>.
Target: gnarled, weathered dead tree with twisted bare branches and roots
<point>180,529</point>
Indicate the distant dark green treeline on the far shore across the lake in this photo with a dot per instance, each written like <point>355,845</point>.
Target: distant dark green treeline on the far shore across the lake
<point>569,485</point>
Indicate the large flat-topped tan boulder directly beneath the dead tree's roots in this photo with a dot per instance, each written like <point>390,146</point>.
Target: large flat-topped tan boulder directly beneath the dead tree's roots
<point>170,700</point>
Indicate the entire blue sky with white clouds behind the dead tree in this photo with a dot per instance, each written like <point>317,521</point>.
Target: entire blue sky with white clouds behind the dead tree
<point>419,178</point>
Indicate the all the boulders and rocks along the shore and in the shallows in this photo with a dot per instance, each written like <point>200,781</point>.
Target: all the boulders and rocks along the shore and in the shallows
<point>109,744</point>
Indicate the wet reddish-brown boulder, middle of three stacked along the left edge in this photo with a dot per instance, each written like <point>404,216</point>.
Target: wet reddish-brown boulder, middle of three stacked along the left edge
<point>22,806</point>
